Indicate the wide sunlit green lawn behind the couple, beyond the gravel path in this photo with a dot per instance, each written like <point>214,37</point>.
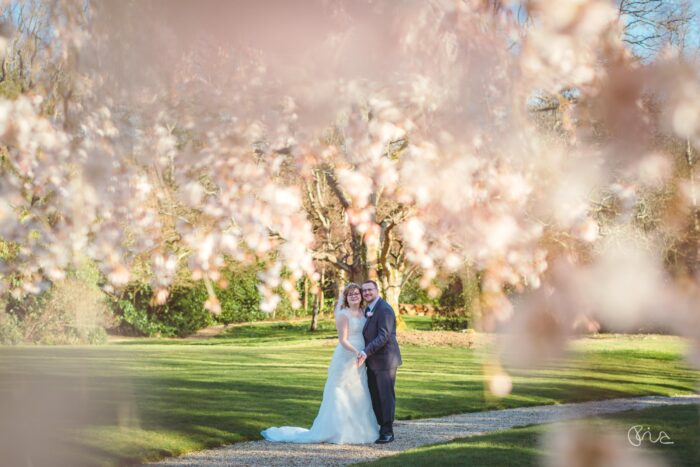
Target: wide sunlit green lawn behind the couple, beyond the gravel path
<point>144,399</point>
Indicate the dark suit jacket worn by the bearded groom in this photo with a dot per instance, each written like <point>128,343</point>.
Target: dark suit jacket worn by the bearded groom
<point>381,346</point>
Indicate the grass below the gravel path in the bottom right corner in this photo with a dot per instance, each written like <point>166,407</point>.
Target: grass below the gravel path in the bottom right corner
<point>524,447</point>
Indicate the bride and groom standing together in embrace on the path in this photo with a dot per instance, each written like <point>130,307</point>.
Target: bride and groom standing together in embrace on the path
<point>358,399</point>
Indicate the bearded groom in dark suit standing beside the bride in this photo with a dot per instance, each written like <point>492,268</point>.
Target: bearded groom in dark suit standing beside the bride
<point>383,358</point>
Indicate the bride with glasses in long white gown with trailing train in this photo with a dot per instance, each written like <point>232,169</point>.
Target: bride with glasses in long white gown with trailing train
<point>346,414</point>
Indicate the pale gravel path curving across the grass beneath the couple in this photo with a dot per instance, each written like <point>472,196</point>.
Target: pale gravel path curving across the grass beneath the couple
<point>411,434</point>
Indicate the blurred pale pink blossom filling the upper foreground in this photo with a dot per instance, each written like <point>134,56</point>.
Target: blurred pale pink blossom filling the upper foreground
<point>544,150</point>
